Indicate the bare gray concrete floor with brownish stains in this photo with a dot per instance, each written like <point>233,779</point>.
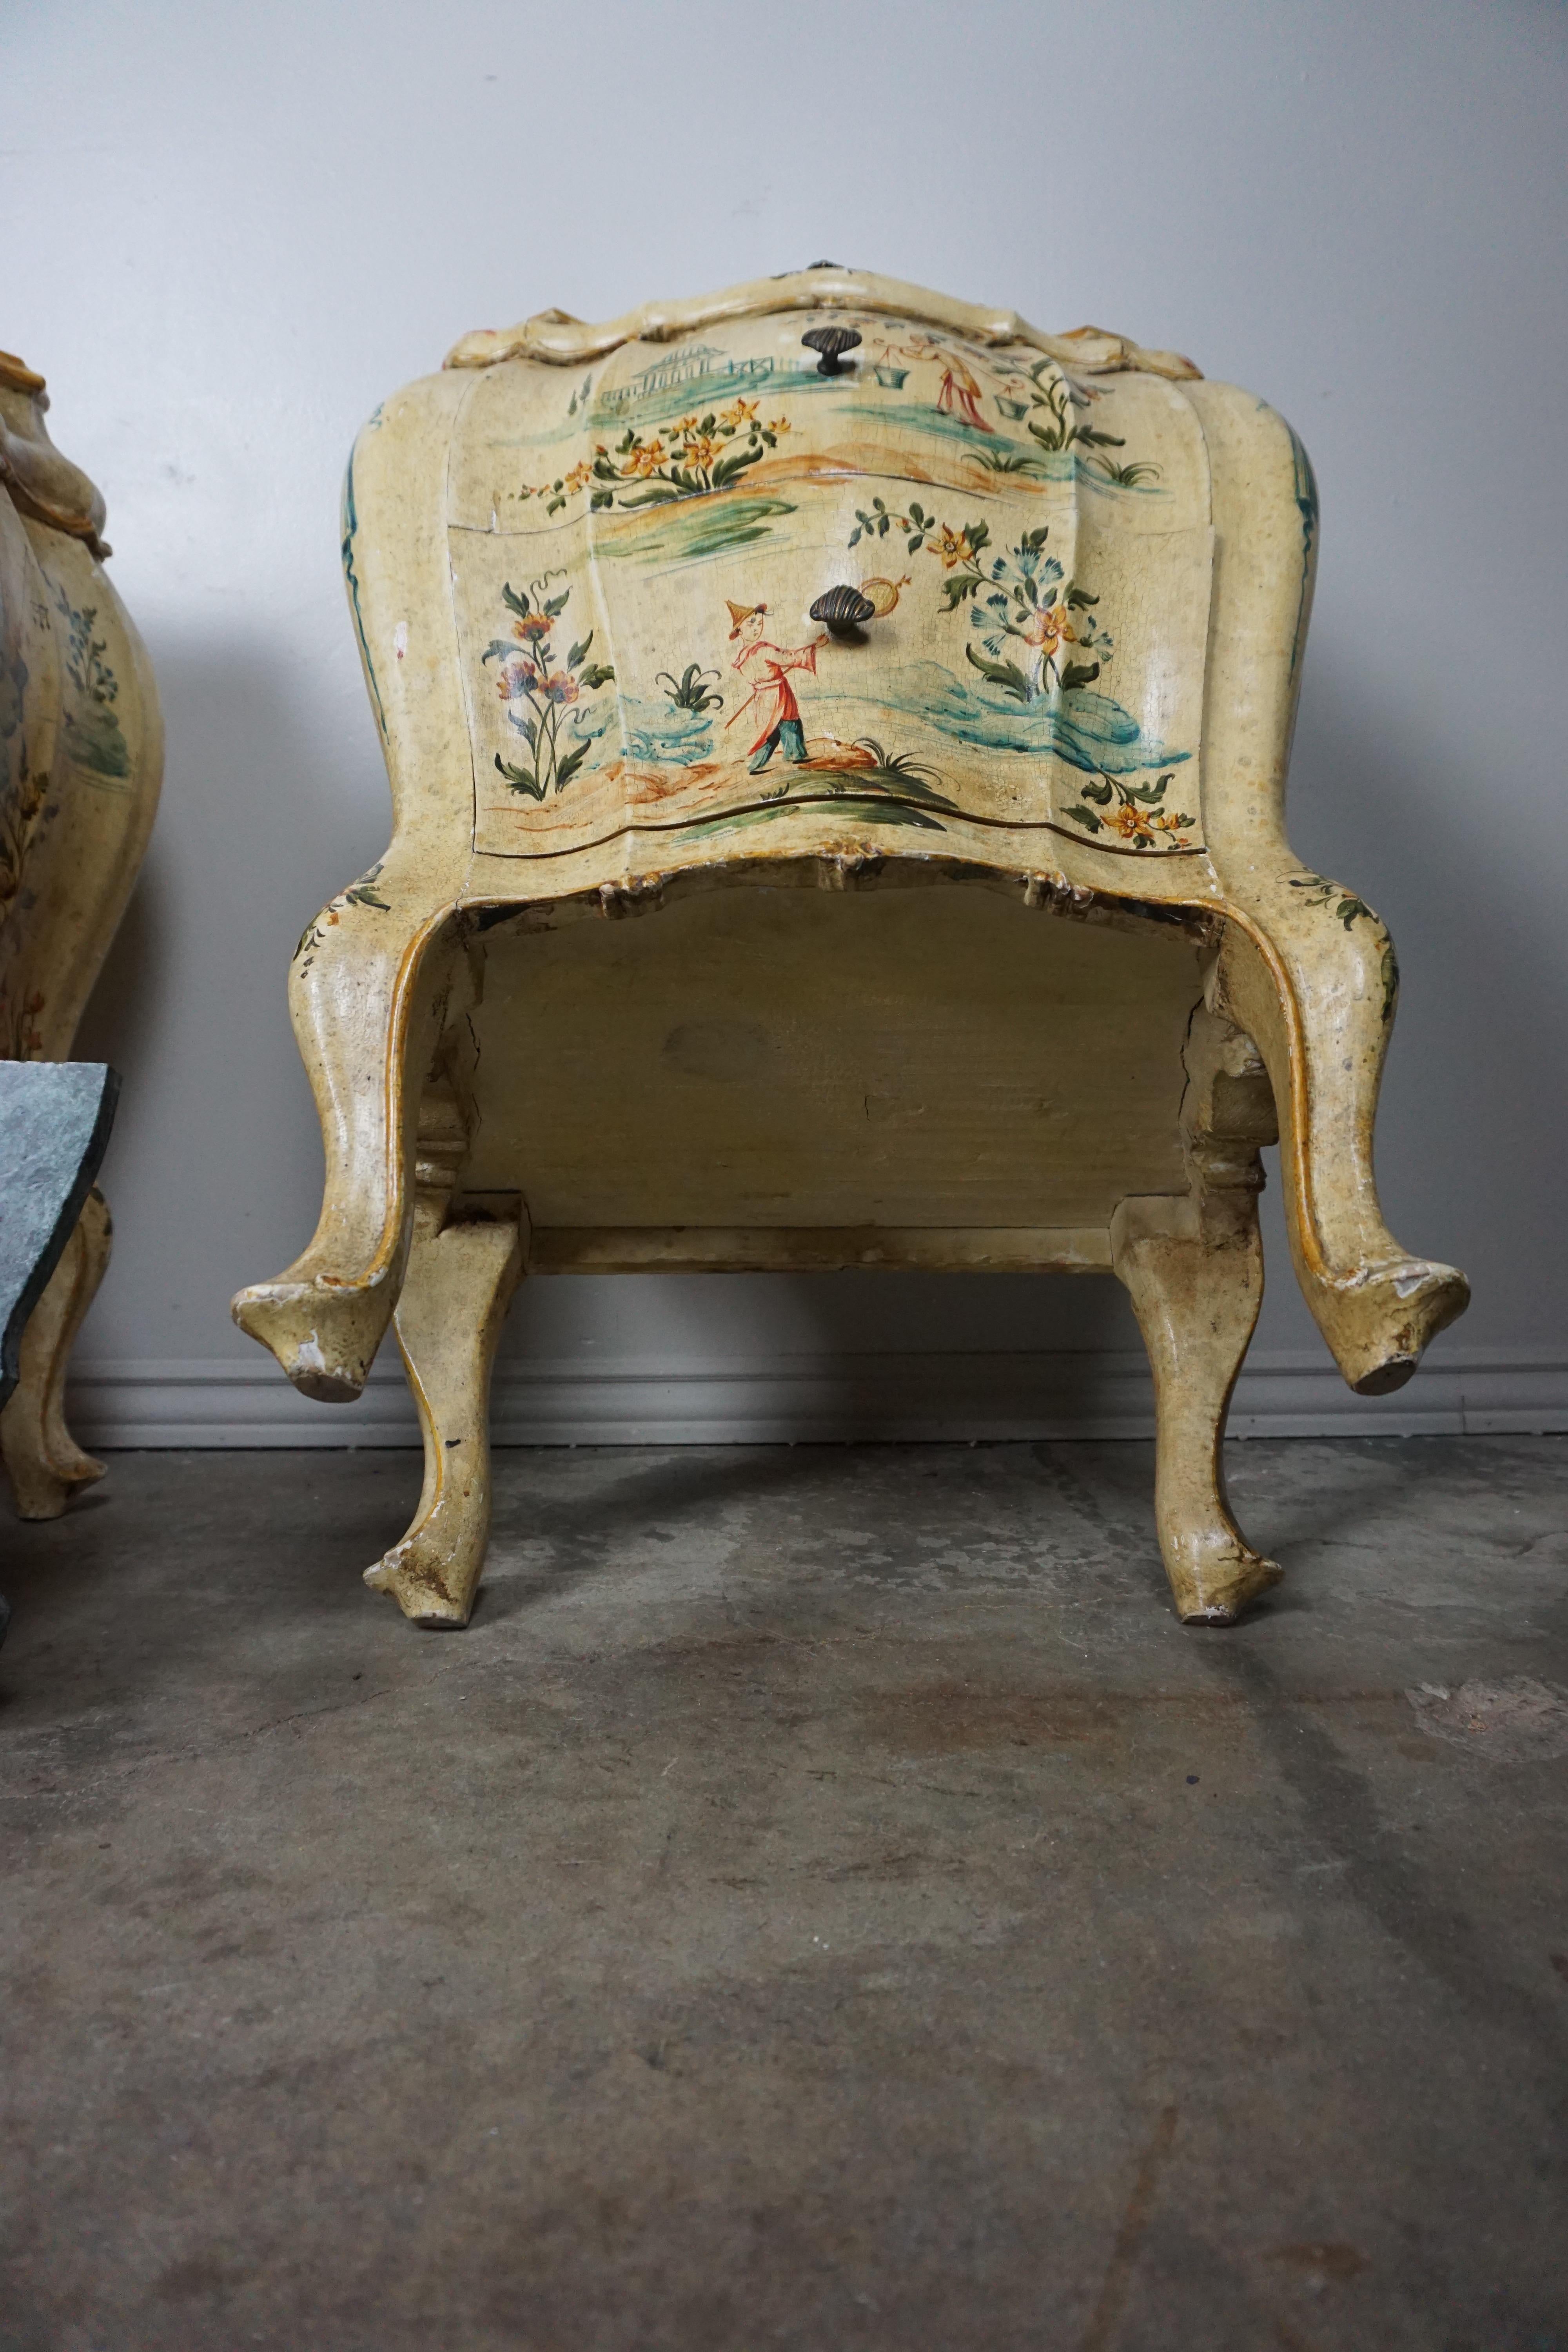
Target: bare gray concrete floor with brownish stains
<point>824,1902</point>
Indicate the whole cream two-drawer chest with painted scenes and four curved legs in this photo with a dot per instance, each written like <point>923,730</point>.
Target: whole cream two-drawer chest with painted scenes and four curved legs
<point>925,688</point>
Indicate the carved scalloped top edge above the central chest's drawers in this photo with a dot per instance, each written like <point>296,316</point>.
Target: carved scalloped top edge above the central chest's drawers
<point>563,342</point>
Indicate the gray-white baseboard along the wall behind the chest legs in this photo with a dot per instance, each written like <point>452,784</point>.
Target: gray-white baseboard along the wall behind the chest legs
<point>812,1398</point>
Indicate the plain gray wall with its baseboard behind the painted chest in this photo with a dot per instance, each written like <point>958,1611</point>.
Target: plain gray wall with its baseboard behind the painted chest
<point>232,232</point>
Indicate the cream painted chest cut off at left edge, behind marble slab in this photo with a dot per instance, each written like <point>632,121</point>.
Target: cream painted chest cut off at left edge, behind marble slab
<point>81,763</point>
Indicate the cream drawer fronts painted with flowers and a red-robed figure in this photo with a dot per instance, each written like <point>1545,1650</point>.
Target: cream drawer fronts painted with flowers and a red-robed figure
<point>1036,549</point>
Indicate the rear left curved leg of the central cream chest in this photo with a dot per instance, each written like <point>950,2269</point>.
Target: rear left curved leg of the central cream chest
<point>450,1316</point>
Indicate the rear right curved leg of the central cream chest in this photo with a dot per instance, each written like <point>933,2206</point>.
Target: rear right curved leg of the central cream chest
<point>1195,1276</point>
